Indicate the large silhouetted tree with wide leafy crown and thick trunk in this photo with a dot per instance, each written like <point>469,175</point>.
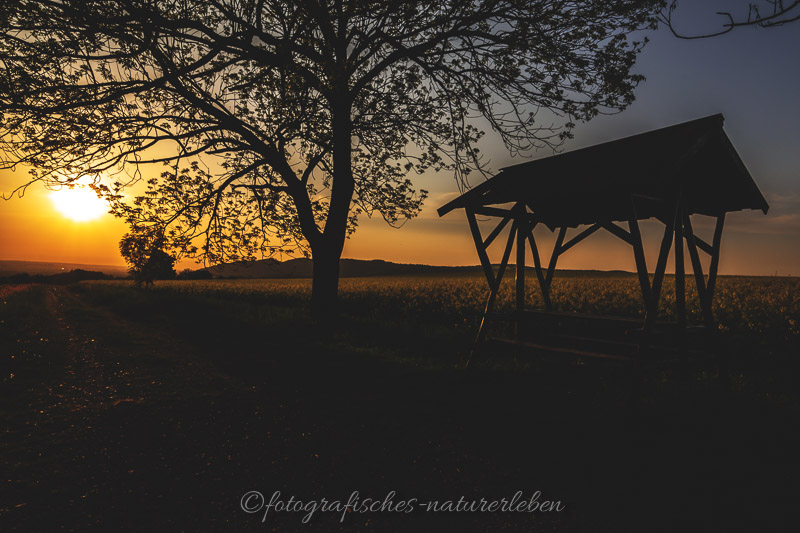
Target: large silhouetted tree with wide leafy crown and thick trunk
<point>307,113</point>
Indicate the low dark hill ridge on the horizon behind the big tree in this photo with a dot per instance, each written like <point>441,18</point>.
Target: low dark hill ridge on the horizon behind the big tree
<point>354,268</point>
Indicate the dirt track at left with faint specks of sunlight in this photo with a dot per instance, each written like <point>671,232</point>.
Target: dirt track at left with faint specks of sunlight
<point>105,422</point>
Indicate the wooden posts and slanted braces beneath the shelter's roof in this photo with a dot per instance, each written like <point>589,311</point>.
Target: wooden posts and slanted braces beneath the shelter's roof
<point>678,230</point>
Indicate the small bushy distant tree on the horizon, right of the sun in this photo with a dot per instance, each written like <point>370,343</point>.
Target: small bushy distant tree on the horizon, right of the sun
<point>146,259</point>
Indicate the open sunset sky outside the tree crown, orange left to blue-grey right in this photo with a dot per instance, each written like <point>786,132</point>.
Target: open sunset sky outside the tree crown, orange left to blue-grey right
<point>751,76</point>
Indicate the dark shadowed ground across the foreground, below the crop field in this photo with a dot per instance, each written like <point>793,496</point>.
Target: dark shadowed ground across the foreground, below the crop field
<point>162,415</point>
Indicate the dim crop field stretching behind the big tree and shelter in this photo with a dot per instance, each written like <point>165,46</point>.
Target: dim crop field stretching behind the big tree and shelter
<point>763,310</point>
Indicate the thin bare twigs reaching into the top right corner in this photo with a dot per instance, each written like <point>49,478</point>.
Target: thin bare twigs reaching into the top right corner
<point>765,14</point>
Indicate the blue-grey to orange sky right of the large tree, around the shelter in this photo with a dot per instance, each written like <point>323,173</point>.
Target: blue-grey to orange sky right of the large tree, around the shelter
<point>751,76</point>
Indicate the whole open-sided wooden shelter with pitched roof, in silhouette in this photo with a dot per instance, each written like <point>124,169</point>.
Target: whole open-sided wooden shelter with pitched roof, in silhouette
<point>668,174</point>
